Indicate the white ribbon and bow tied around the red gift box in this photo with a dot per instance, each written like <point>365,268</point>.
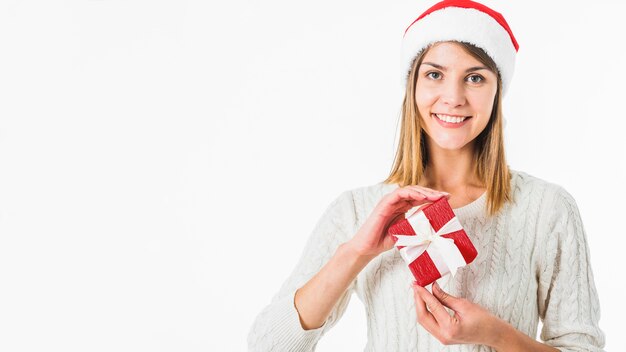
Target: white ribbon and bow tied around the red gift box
<point>444,254</point>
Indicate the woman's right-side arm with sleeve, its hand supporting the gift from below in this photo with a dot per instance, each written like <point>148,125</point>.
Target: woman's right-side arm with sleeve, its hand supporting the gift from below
<point>567,299</point>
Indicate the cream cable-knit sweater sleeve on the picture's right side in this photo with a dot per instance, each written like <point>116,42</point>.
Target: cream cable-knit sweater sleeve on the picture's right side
<point>567,298</point>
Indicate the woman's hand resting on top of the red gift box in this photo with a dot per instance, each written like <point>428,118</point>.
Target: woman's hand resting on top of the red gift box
<point>372,238</point>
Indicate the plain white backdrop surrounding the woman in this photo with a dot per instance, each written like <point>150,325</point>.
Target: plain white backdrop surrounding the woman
<point>162,163</point>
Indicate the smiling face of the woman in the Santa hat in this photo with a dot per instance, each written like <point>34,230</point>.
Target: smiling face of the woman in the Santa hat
<point>454,94</point>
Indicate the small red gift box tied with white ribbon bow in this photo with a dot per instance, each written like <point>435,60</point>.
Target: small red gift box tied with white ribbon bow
<point>432,242</point>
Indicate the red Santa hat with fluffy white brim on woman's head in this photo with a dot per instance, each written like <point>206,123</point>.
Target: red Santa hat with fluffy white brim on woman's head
<point>463,21</point>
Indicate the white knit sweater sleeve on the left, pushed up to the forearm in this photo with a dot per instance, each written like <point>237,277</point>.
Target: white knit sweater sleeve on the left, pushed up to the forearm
<point>277,327</point>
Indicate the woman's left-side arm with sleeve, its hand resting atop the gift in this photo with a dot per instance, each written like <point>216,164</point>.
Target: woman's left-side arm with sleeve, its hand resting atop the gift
<point>317,292</point>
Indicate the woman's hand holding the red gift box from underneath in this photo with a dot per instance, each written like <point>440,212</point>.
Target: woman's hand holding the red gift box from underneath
<point>470,322</point>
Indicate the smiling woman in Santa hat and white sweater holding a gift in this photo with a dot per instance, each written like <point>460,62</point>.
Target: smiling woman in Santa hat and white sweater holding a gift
<point>533,259</point>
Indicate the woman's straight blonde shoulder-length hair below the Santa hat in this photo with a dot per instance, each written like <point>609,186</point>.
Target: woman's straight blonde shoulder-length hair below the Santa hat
<point>490,165</point>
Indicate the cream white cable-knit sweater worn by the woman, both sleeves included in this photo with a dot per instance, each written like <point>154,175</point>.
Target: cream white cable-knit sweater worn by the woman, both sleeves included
<point>533,263</point>
